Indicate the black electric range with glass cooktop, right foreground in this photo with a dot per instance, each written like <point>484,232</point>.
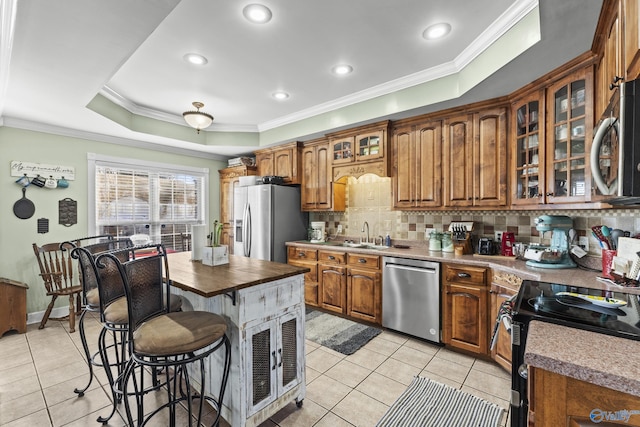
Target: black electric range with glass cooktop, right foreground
<point>614,313</point>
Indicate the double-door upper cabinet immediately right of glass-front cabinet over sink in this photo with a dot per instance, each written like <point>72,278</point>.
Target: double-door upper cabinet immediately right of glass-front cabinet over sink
<point>416,153</point>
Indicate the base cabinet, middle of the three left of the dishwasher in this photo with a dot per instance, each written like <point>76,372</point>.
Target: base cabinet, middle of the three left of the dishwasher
<point>332,274</point>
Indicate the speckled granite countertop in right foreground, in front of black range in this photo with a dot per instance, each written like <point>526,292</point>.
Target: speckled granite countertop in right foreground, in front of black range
<point>604,360</point>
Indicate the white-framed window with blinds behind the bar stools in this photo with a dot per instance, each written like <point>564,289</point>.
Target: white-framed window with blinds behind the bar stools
<point>144,200</point>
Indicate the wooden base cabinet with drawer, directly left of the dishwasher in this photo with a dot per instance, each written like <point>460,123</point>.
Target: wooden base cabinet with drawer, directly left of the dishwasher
<point>364,287</point>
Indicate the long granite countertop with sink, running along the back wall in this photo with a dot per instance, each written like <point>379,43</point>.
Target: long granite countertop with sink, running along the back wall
<point>419,250</point>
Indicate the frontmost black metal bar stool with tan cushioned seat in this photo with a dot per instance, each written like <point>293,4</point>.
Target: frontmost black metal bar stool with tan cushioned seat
<point>159,338</point>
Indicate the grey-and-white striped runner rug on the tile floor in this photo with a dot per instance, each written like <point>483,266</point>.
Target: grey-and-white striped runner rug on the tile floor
<point>427,403</point>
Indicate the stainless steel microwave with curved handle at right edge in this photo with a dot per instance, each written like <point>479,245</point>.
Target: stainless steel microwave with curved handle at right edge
<point>615,152</point>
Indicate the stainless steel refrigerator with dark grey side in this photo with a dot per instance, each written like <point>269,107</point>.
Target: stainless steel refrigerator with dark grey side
<point>265,217</point>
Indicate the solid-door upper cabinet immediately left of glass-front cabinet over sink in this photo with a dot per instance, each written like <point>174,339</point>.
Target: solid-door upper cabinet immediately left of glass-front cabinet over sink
<point>318,191</point>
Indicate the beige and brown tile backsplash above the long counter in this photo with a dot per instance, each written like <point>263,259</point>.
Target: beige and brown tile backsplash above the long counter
<point>369,199</point>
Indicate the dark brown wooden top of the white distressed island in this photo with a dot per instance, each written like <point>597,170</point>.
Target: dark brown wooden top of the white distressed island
<point>239,273</point>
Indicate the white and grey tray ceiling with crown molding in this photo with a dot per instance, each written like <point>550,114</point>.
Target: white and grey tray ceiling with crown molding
<point>114,71</point>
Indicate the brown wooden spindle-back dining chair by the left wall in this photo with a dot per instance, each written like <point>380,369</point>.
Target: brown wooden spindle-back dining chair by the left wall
<point>60,275</point>
